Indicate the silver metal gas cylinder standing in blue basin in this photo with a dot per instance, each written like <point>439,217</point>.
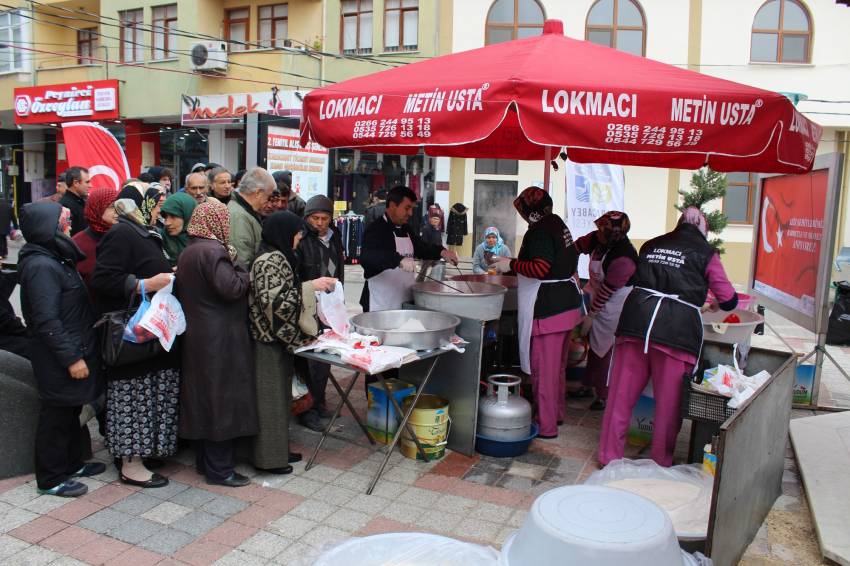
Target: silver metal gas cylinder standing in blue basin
<point>502,415</point>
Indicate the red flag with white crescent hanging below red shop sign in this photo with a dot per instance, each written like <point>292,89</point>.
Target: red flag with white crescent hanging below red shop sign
<point>95,148</point>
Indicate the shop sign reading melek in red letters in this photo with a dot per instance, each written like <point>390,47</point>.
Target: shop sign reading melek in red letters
<point>231,108</point>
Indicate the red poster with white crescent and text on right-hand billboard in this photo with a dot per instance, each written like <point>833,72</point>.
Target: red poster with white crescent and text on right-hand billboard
<point>790,233</point>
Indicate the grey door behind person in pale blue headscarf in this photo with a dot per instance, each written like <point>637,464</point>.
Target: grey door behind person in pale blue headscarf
<point>494,207</point>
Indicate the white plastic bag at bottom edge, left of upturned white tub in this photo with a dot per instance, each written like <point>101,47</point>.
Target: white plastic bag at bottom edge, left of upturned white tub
<point>413,549</point>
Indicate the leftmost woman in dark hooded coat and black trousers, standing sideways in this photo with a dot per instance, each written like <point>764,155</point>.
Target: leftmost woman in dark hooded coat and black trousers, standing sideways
<point>63,351</point>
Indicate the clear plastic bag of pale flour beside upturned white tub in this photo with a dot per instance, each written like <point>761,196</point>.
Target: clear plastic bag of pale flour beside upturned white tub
<point>684,492</point>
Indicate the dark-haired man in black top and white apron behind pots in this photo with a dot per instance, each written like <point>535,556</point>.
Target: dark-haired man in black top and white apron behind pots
<point>388,253</point>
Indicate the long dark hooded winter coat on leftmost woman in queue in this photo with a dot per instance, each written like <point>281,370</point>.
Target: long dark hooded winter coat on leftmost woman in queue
<point>55,305</point>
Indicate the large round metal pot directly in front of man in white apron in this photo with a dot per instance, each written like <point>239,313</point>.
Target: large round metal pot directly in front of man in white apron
<point>480,301</point>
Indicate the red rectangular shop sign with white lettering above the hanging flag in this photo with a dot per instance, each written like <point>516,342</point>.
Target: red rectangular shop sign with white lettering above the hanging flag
<point>94,100</point>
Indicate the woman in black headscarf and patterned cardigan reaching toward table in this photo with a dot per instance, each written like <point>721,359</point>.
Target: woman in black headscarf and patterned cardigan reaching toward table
<point>275,306</point>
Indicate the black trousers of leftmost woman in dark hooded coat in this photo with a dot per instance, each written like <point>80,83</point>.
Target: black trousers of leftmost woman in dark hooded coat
<point>59,445</point>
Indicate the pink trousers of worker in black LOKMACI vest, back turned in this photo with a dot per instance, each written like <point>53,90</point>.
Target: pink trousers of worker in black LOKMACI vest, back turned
<point>630,373</point>
